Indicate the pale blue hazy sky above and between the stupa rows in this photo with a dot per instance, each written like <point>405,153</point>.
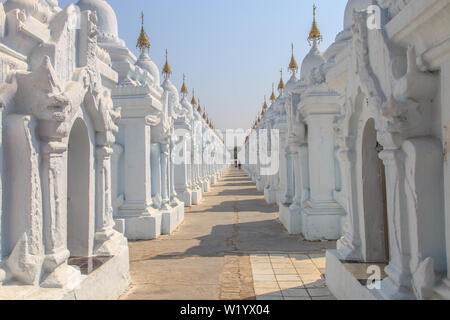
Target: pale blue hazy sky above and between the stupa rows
<point>230,50</point>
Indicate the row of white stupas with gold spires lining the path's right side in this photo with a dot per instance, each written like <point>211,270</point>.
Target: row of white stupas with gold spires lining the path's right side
<point>364,135</point>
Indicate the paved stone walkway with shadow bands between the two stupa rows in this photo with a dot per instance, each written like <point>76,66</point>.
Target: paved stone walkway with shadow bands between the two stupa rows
<point>230,247</point>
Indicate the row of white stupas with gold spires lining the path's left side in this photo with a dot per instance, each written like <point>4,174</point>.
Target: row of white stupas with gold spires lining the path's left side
<point>90,150</point>
